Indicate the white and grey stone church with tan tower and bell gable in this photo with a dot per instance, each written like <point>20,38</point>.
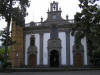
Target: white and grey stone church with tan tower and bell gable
<point>47,43</point>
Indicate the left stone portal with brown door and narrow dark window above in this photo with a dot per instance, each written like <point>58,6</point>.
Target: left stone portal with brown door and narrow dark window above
<point>32,53</point>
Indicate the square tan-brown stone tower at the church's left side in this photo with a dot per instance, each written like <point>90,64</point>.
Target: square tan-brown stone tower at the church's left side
<point>16,54</point>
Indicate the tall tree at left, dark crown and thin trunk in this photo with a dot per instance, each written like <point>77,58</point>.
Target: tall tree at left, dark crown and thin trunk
<point>12,10</point>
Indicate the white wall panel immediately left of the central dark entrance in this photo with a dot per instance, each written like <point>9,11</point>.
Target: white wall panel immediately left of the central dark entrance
<point>46,37</point>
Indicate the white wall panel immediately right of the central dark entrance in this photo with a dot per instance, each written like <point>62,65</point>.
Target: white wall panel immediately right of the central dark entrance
<point>62,37</point>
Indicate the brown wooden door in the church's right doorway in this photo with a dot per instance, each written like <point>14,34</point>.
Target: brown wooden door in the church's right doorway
<point>78,60</point>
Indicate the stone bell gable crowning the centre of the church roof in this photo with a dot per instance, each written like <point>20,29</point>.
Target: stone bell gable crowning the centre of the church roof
<point>54,14</point>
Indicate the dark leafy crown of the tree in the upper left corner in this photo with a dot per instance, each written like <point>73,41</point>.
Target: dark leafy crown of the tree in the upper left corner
<point>15,9</point>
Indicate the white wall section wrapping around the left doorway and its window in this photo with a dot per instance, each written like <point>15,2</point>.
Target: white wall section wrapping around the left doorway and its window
<point>27,44</point>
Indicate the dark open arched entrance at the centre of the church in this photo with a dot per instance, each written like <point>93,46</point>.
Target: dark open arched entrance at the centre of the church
<point>54,58</point>
